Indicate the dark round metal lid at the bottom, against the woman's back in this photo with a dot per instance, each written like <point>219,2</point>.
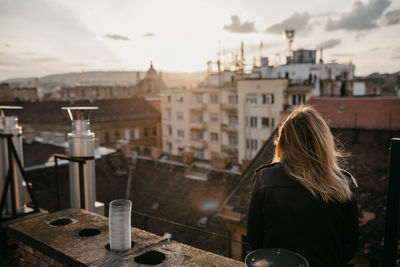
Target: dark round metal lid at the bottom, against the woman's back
<point>275,257</point>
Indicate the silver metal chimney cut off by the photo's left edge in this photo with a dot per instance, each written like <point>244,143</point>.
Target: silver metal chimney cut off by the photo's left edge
<point>9,125</point>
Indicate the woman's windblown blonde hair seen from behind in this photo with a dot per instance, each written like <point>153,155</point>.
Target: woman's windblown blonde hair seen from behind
<point>306,148</point>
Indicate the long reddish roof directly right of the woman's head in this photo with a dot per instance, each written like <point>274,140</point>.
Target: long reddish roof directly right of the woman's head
<point>351,112</point>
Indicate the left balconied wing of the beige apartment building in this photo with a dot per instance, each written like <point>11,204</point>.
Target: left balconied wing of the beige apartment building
<point>191,121</point>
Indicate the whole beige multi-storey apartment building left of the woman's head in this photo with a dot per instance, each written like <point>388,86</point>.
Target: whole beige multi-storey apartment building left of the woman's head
<point>226,121</point>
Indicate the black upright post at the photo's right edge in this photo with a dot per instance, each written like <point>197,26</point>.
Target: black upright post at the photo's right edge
<point>392,210</point>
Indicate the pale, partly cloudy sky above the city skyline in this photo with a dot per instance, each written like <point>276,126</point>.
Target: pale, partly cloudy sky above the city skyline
<point>42,37</point>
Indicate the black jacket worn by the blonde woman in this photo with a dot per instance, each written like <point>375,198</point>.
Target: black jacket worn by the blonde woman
<point>284,214</point>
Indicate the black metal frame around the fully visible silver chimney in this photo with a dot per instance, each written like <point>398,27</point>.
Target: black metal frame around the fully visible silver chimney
<point>81,161</point>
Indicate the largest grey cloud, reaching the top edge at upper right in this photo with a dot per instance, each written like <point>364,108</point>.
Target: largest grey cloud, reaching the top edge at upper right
<point>361,17</point>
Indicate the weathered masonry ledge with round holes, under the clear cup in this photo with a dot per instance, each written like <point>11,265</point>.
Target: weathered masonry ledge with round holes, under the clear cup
<point>47,240</point>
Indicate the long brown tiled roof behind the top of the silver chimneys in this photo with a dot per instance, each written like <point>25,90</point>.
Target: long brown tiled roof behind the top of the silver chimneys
<point>109,110</point>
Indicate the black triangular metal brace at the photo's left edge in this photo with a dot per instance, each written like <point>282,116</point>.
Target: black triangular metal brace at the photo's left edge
<point>13,156</point>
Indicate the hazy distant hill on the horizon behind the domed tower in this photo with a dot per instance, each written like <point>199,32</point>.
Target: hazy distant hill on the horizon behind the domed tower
<point>106,78</point>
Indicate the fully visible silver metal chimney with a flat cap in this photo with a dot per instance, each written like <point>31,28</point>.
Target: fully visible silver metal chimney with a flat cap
<point>81,144</point>
